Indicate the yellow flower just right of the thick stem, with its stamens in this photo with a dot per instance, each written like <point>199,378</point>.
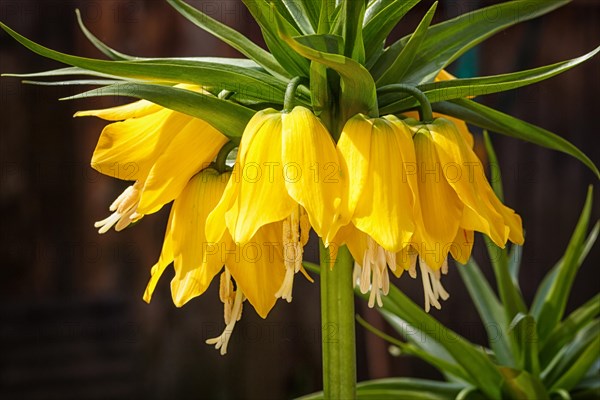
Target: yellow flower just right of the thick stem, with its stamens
<point>379,196</point>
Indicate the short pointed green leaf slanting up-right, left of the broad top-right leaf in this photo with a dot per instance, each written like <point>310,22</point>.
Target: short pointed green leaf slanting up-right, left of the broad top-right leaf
<point>402,63</point>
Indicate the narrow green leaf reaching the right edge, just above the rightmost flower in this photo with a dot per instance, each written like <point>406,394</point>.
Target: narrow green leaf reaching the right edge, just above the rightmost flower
<point>470,87</point>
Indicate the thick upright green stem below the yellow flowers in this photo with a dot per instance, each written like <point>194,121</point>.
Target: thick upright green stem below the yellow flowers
<point>337,321</point>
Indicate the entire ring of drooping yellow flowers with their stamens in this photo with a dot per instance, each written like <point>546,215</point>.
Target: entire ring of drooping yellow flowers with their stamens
<point>393,190</point>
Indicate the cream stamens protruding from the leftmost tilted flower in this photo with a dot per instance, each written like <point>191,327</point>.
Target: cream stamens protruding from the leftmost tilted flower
<point>124,210</point>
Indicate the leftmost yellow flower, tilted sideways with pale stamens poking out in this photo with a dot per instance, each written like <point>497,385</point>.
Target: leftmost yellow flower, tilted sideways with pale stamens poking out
<point>158,148</point>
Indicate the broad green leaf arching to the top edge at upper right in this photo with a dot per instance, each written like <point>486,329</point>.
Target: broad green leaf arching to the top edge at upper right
<point>447,41</point>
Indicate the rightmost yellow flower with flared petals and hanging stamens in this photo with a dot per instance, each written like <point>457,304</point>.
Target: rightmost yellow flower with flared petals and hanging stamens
<point>455,199</point>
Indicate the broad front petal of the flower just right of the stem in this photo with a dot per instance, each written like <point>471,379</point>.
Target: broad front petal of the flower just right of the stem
<point>384,210</point>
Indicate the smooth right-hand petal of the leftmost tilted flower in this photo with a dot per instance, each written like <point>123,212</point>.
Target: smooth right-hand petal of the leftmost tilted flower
<point>191,150</point>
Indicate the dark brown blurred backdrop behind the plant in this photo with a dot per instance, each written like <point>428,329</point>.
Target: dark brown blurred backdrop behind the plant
<point>72,321</point>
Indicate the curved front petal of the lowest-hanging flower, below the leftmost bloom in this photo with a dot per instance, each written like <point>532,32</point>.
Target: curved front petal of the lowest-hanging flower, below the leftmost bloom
<point>197,261</point>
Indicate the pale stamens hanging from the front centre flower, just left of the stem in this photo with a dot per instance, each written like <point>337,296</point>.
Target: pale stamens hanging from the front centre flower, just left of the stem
<point>293,235</point>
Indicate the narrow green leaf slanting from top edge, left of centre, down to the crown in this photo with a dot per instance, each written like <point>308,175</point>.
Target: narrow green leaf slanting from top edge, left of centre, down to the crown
<point>231,37</point>
